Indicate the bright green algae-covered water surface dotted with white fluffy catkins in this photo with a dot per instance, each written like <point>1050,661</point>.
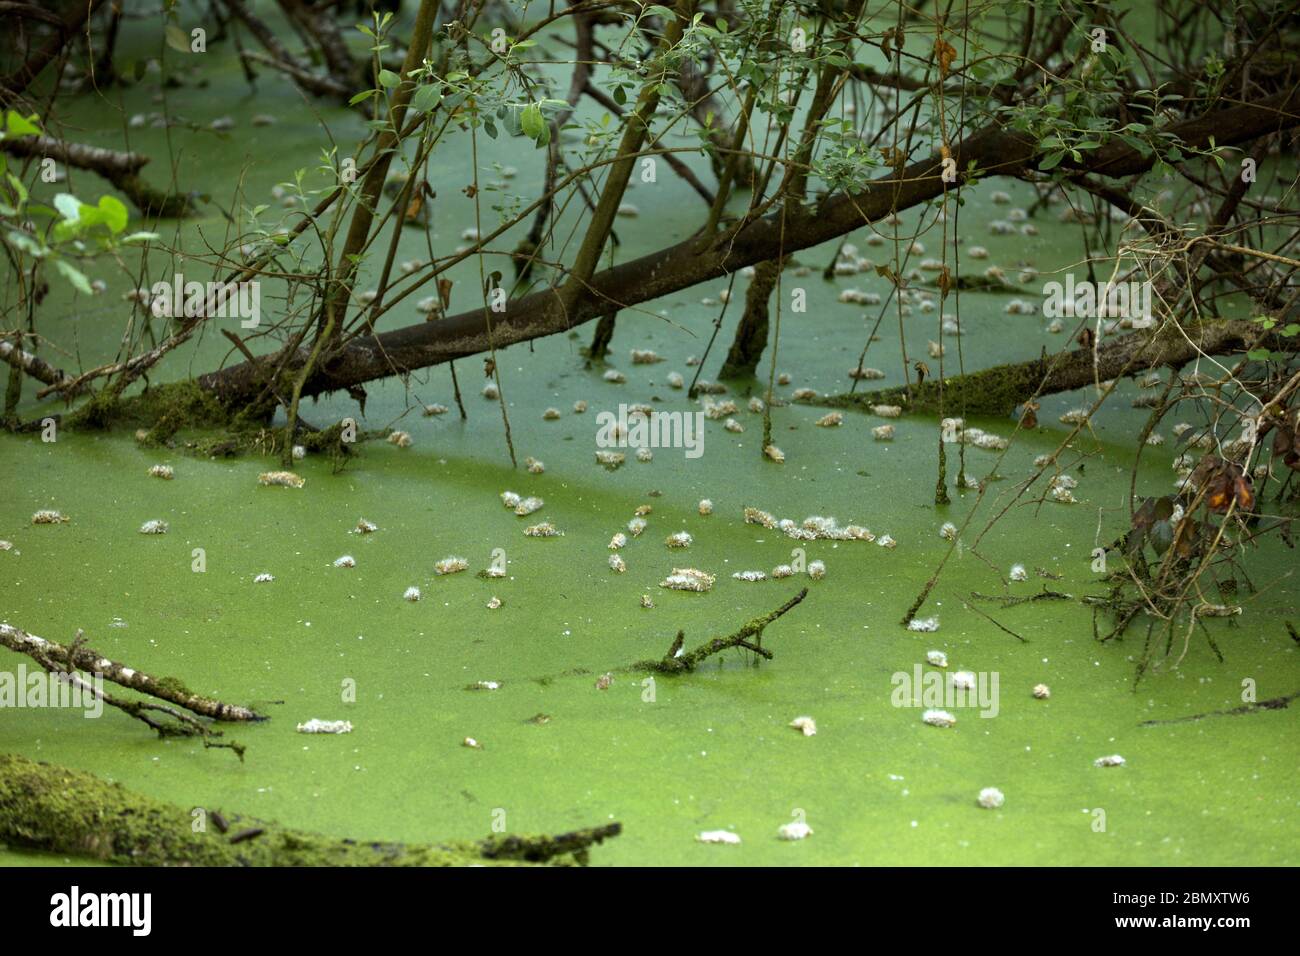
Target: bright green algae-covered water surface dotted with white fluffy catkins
<point>710,751</point>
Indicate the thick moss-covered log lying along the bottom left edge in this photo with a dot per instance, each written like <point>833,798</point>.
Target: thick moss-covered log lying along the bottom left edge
<point>63,811</point>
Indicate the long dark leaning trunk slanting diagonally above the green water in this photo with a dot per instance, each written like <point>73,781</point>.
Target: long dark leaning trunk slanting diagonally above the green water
<point>993,152</point>
